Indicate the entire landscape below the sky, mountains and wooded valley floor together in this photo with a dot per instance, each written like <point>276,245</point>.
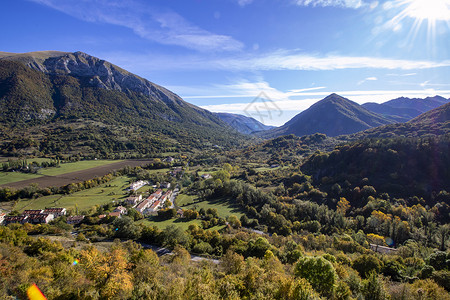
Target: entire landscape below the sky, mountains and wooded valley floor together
<point>100,166</point>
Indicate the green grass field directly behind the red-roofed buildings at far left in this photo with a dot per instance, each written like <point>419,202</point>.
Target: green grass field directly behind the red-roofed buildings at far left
<point>102,194</point>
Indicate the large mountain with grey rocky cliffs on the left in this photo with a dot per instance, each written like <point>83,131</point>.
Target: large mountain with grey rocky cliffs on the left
<point>72,102</point>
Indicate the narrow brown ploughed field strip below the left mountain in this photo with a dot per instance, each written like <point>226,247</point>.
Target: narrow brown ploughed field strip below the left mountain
<point>63,179</point>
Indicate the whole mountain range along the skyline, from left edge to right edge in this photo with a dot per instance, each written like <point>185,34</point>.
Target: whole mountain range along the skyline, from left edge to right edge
<point>74,103</point>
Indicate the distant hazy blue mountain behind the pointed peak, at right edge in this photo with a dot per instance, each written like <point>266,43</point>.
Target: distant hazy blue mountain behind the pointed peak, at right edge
<point>404,109</point>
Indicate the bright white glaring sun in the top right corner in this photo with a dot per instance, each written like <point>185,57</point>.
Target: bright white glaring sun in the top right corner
<point>427,10</point>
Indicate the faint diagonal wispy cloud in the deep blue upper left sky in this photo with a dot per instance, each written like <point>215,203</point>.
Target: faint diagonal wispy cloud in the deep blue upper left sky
<point>159,25</point>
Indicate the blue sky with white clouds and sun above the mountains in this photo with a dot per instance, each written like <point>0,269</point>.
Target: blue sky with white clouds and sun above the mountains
<point>269,59</point>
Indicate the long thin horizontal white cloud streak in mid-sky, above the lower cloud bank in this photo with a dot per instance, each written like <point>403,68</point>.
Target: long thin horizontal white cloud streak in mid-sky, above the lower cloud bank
<point>277,60</point>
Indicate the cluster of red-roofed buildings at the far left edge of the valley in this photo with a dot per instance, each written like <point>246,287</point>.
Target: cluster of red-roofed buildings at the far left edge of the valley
<point>34,216</point>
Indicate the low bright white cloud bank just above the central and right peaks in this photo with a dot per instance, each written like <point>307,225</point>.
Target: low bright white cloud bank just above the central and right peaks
<point>290,102</point>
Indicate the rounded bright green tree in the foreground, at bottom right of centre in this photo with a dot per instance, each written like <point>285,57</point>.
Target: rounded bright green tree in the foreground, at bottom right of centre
<point>319,272</point>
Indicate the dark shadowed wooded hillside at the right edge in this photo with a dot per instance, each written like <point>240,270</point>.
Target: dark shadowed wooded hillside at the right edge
<point>400,167</point>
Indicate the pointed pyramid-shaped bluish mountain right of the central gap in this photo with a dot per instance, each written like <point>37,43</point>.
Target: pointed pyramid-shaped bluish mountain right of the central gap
<point>333,116</point>
